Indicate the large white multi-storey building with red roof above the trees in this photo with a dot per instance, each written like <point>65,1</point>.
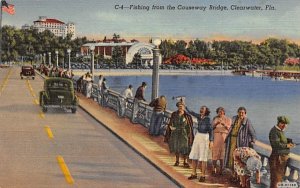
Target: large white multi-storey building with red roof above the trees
<point>57,27</point>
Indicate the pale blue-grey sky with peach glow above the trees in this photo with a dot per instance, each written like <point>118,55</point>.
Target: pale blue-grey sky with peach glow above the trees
<point>98,18</point>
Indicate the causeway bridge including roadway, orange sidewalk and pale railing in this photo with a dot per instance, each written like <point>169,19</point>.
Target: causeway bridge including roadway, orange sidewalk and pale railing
<point>92,148</point>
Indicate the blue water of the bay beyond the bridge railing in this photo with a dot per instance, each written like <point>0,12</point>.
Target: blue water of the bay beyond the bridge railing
<point>264,99</point>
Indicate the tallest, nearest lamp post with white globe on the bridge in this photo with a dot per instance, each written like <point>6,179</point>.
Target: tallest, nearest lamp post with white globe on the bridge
<point>155,75</point>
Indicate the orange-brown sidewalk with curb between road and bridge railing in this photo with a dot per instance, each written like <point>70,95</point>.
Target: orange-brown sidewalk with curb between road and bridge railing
<point>153,149</point>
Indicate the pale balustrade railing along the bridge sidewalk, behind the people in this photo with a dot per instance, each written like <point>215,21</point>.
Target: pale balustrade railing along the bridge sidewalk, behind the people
<point>143,117</point>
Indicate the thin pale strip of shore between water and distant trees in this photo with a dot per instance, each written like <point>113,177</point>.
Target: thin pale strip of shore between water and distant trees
<point>148,72</point>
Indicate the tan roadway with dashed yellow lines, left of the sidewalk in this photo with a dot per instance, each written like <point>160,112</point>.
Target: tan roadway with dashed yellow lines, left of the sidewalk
<point>60,149</point>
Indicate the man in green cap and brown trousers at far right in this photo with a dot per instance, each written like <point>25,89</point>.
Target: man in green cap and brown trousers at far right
<point>280,150</point>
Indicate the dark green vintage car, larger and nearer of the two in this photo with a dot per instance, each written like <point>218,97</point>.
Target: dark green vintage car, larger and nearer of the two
<point>58,93</point>
